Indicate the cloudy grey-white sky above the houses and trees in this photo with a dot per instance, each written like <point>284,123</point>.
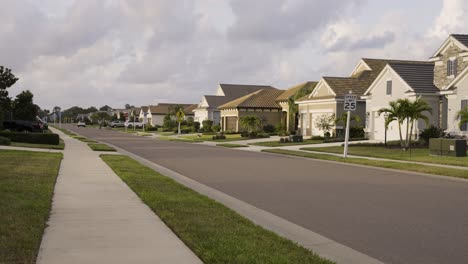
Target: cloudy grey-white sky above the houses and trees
<point>97,52</point>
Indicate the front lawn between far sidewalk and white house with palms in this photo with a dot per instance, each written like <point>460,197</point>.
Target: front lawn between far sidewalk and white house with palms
<point>417,154</point>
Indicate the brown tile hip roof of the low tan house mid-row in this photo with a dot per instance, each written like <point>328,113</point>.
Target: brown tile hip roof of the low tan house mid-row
<point>264,98</point>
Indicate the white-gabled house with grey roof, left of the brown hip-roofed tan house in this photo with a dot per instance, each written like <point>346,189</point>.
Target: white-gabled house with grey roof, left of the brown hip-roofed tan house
<point>207,109</point>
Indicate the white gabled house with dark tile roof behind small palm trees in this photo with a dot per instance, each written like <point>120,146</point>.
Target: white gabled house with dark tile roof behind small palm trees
<point>400,80</point>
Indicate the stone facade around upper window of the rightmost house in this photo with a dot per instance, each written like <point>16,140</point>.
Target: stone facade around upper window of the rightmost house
<point>441,79</point>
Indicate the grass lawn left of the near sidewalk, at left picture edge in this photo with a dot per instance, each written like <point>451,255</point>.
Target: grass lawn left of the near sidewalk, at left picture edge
<point>27,181</point>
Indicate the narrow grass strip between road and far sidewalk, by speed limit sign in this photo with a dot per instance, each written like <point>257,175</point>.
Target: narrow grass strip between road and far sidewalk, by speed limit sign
<point>459,173</point>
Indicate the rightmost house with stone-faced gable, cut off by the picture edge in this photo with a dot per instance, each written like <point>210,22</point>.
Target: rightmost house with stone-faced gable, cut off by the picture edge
<point>451,77</point>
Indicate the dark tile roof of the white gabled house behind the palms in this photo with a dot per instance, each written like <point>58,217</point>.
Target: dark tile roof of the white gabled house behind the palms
<point>418,75</point>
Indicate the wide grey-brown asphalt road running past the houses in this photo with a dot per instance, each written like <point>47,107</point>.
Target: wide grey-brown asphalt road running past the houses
<point>394,217</point>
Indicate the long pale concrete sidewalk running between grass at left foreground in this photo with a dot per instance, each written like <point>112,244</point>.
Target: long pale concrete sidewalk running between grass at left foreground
<point>96,218</point>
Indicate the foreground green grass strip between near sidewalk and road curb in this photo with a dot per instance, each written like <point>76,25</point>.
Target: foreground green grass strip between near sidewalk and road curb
<point>212,231</point>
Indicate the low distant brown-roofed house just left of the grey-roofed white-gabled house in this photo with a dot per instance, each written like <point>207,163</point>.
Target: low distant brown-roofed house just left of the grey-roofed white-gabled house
<point>156,113</point>
